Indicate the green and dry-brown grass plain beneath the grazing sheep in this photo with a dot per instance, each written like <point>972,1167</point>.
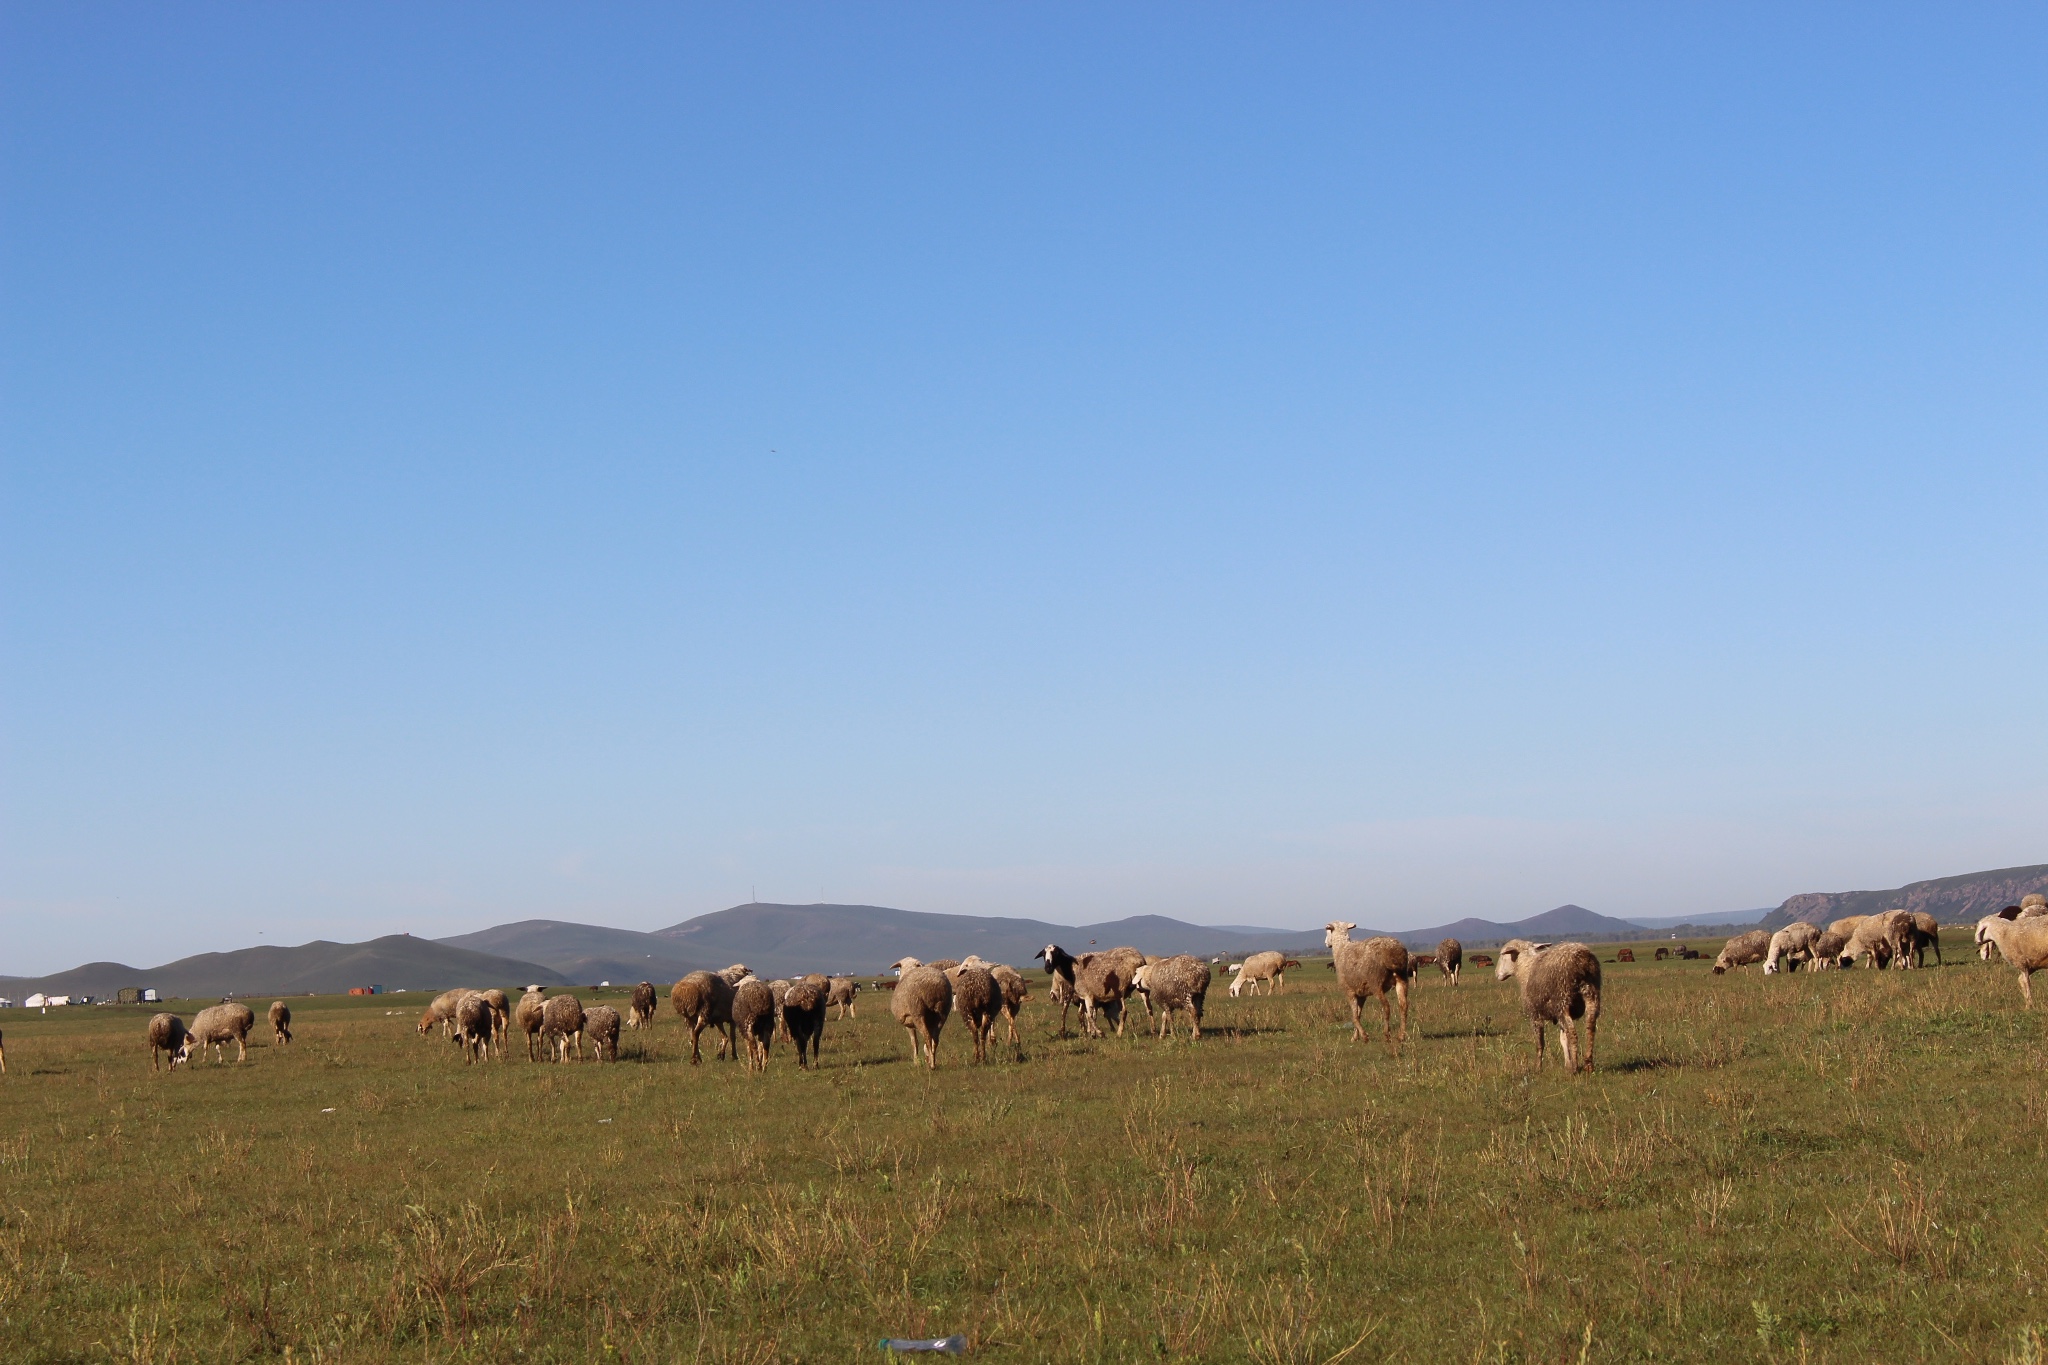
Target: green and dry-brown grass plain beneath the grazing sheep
<point>1838,1168</point>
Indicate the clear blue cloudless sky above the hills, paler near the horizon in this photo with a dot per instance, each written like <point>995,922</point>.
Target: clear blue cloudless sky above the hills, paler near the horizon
<point>1248,464</point>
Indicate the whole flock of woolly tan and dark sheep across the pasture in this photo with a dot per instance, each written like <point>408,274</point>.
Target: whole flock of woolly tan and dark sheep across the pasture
<point>1560,987</point>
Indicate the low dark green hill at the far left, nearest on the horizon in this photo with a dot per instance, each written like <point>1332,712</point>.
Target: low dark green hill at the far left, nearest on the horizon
<point>396,961</point>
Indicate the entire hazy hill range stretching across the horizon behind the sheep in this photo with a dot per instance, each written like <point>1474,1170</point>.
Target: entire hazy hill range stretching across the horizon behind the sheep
<point>781,940</point>
